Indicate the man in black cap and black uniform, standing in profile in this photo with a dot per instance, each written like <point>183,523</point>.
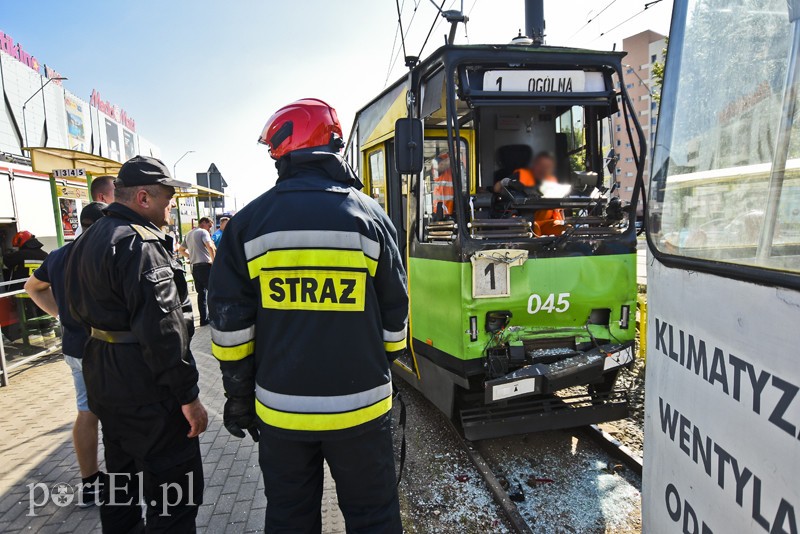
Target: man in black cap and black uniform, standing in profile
<point>124,283</point>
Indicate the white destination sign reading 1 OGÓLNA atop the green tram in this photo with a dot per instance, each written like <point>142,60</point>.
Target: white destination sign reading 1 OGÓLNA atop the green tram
<point>543,81</point>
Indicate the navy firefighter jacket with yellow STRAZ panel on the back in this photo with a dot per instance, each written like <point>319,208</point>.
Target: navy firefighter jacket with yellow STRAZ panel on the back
<point>308,302</point>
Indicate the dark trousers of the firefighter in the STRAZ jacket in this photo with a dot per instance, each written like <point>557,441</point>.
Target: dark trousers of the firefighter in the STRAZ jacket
<point>362,467</point>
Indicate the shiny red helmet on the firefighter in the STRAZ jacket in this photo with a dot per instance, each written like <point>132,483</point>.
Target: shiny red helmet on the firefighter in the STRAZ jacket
<point>307,123</point>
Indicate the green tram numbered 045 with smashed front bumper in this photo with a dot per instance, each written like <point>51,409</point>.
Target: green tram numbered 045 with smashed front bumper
<point>502,315</point>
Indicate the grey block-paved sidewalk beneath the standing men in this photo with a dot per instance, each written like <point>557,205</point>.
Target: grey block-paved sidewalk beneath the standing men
<point>38,408</point>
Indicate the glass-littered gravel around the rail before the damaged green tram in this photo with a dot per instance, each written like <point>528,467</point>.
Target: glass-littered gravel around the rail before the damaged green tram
<point>442,492</point>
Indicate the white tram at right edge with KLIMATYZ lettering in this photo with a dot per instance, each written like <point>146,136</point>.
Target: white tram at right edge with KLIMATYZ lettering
<point>722,410</point>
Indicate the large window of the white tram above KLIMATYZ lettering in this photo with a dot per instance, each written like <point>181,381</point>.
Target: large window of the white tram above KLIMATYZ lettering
<point>715,165</point>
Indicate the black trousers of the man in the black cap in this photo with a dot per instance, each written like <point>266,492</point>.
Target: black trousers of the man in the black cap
<point>150,459</point>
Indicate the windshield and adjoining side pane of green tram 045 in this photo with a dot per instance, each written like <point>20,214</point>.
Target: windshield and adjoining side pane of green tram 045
<point>544,164</point>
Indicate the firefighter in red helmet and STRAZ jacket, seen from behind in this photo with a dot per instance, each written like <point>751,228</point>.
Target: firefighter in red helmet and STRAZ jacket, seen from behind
<point>308,308</point>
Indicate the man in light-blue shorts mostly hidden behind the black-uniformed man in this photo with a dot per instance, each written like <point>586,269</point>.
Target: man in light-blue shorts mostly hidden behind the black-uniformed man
<point>47,288</point>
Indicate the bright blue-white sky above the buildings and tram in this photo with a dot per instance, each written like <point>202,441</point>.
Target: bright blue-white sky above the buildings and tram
<point>205,75</point>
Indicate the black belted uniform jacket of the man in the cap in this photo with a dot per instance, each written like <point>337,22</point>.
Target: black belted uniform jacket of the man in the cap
<point>122,279</point>
